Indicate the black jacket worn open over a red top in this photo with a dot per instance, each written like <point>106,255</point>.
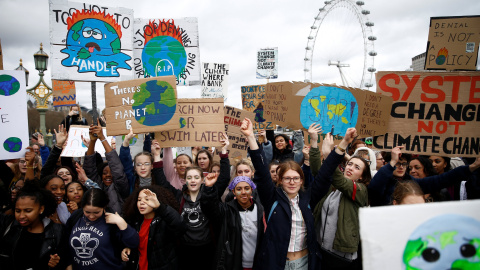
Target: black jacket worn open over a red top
<point>166,228</point>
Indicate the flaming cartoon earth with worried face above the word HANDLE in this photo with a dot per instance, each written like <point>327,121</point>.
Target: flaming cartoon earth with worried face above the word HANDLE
<point>93,44</point>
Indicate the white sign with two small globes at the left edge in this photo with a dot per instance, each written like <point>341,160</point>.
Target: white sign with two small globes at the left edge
<point>13,114</point>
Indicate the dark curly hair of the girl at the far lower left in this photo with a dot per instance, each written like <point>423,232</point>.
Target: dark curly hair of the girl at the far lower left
<point>40,195</point>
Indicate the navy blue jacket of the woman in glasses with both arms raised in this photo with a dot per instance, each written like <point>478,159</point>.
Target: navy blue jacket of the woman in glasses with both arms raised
<point>273,251</point>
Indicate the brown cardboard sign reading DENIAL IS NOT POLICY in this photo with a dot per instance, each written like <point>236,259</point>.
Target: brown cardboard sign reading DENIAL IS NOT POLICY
<point>453,43</point>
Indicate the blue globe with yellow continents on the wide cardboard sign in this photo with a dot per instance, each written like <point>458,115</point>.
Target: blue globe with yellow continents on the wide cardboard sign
<point>329,106</point>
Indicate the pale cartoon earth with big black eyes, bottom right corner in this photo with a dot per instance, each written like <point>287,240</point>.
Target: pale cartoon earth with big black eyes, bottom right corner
<point>444,242</point>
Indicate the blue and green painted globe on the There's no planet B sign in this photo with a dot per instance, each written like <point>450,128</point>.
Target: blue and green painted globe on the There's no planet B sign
<point>155,103</point>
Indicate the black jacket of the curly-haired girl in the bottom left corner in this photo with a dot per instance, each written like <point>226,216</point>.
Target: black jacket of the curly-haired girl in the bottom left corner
<point>54,243</point>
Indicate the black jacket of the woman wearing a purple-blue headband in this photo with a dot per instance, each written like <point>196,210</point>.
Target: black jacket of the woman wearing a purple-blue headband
<point>228,225</point>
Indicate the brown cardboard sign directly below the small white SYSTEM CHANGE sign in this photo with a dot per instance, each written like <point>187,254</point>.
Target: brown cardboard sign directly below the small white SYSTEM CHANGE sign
<point>253,100</point>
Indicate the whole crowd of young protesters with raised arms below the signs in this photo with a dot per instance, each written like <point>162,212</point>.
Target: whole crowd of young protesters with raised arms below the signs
<point>288,204</point>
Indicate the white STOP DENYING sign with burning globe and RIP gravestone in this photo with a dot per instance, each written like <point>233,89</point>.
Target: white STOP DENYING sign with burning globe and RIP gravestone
<point>165,47</point>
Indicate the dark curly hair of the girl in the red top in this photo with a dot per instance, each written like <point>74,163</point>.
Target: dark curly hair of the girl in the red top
<point>164,196</point>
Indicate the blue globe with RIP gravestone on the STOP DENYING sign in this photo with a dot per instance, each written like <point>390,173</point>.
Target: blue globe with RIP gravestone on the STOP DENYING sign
<point>163,56</point>
